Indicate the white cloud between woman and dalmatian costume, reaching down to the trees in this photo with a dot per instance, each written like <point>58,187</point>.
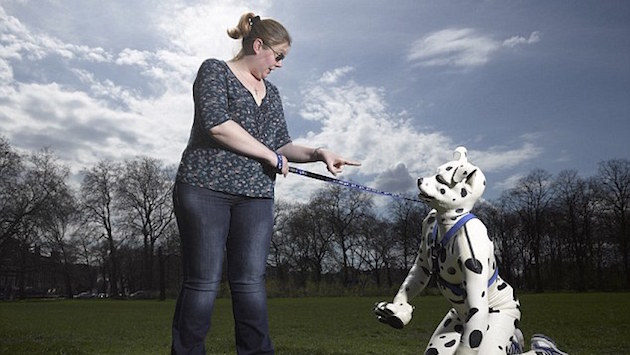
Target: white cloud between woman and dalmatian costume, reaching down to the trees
<point>356,123</point>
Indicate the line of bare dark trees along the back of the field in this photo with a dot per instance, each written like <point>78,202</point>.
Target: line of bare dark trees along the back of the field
<point>114,232</point>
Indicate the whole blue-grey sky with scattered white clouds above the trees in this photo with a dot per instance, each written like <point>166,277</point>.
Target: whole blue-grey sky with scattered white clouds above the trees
<point>397,85</point>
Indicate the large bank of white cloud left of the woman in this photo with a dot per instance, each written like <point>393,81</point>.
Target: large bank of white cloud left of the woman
<point>83,115</point>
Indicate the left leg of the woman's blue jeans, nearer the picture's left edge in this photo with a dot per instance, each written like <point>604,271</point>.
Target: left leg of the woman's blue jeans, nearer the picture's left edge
<point>203,219</point>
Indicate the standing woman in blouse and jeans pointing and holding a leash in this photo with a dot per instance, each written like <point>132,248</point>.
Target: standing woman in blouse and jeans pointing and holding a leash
<point>223,196</point>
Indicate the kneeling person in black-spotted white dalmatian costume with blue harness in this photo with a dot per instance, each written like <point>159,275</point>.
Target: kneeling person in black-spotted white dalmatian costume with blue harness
<point>455,250</point>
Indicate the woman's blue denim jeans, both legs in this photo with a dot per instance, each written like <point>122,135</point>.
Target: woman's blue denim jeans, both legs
<point>213,224</point>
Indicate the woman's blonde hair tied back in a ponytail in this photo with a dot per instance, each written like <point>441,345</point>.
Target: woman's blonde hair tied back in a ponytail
<point>250,27</point>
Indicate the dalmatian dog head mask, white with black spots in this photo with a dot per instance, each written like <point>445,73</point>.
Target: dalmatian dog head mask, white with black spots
<point>455,187</point>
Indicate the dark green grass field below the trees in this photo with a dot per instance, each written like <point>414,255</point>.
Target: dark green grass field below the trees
<point>586,323</point>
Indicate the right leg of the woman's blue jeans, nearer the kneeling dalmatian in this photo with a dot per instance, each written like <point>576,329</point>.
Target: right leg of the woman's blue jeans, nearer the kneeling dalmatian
<point>247,250</point>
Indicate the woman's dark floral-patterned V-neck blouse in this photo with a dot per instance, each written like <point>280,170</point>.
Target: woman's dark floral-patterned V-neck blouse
<point>219,96</point>
